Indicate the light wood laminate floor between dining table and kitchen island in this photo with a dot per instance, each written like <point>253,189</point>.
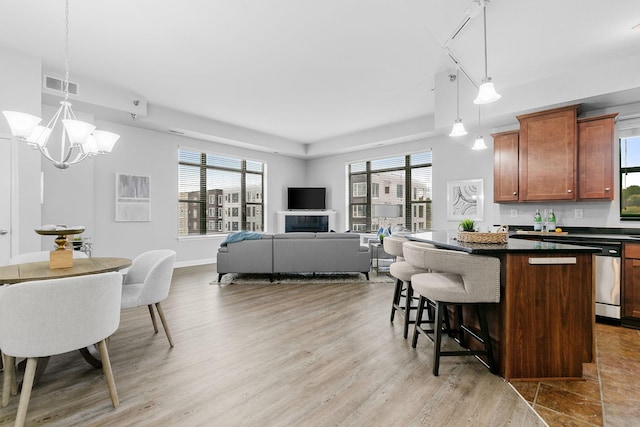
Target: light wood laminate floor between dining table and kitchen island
<point>271,355</point>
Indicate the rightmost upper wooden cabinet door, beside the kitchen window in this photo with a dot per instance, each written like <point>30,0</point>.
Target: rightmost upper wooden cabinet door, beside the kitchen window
<point>595,157</point>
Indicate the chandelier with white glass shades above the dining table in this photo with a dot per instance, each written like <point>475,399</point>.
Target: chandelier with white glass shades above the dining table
<point>79,140</point>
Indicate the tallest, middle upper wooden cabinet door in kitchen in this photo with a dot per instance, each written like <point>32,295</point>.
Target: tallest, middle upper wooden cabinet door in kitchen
<point>548,155</point>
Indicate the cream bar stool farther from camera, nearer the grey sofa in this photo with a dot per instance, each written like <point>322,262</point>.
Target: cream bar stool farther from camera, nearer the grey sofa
<point>402,271</point>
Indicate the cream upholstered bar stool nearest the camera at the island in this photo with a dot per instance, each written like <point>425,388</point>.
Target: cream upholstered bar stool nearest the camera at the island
<point>458,278</point>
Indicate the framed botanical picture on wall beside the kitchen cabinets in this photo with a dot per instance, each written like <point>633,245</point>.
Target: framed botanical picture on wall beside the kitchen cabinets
<point>465,199</point>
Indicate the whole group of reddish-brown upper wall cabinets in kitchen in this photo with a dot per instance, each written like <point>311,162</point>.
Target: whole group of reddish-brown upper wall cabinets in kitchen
<point>555,157</point>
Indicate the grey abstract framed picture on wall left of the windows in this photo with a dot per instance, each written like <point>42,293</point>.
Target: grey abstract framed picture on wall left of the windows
<point>133,201</point>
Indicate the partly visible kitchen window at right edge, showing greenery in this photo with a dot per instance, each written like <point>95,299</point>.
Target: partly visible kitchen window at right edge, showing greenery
<point>630,178</point>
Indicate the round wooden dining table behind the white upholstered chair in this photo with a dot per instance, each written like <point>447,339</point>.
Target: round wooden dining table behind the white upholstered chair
<point>32,271</point>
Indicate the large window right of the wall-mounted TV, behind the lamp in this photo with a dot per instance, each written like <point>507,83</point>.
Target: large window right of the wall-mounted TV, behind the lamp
<point>409,175</point>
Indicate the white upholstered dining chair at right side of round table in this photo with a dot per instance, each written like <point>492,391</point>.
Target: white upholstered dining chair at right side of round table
<point>147,282</point>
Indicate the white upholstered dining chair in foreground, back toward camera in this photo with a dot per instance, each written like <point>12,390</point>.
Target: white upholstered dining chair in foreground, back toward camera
<point>48,317</point>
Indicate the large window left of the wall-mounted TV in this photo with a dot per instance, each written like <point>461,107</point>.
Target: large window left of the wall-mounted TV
<point>203,179</point>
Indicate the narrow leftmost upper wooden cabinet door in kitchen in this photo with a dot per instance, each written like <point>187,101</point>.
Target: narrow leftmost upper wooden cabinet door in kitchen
<point>505,166</point>
